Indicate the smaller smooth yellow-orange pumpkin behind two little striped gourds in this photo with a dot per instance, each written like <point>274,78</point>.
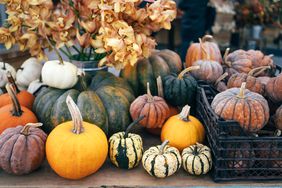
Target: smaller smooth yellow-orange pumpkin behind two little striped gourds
<point>183,130</point>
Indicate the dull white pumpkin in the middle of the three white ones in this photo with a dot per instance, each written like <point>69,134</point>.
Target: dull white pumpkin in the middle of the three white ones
<point>29,71</point>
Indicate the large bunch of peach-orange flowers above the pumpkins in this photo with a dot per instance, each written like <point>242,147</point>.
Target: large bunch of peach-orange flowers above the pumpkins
<point>115,31</point>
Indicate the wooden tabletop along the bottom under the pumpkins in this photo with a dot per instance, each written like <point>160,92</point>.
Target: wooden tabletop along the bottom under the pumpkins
<point>110,176</point>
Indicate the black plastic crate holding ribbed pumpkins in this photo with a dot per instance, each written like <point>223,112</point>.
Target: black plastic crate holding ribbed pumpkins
<point>238,155</point>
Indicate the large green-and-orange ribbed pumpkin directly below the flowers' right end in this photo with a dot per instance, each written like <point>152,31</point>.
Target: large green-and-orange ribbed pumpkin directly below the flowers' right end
<point>160,63</point>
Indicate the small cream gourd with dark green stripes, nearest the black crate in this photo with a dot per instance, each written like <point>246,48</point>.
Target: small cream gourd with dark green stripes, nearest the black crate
<point>196,159</point>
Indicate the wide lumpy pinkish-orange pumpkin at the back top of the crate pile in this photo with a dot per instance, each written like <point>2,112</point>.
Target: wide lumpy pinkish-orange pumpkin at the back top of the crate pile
<point>241,61</point>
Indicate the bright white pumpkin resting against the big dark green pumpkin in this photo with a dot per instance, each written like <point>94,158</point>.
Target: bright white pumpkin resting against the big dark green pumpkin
<point>57,75</point>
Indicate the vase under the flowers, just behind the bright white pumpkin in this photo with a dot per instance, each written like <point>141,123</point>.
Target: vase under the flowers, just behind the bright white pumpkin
<point>90,67</point>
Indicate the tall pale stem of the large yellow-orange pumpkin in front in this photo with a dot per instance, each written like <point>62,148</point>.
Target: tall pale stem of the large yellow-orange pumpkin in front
<point>76,115</point>
